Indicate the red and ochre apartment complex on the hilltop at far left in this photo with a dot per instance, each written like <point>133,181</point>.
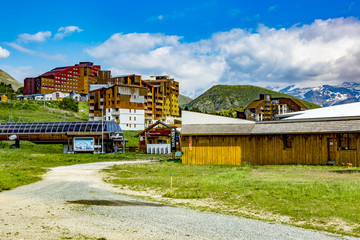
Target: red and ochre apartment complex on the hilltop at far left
<point>67,79</point>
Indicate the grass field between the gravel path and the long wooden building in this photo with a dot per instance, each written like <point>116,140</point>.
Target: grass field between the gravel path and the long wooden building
<point>309,196</point>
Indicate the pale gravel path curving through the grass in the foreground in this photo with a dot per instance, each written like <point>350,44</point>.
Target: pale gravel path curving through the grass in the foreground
<point>73,202</point>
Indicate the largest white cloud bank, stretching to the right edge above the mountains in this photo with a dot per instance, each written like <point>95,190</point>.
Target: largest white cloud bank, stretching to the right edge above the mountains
<point>326,51</point>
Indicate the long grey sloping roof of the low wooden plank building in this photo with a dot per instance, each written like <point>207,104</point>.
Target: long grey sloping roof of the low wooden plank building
<point>259,128</point>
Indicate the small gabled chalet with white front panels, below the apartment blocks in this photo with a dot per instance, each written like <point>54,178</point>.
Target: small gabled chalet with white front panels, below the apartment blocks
<point>156,139</point>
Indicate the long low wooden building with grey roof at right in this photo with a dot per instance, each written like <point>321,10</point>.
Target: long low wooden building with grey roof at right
<point>308,141</point>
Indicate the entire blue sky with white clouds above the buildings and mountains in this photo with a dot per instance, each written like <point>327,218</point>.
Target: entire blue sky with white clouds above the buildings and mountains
<point>270,44</point>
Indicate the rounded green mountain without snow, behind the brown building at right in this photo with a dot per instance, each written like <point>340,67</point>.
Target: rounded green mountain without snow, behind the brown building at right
<point>225,97</point>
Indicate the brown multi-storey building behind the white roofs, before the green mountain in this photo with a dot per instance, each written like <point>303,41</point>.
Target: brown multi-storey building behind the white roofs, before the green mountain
<point>266,108</point>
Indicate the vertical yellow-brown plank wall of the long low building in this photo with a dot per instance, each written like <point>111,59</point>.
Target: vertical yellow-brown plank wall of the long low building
<point>265,150</point>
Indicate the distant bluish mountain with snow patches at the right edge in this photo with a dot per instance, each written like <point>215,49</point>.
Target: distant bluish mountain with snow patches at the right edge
<point>327,95</point>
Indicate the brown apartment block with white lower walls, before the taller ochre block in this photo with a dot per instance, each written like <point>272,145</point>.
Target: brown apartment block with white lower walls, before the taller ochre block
<point>123,104</point>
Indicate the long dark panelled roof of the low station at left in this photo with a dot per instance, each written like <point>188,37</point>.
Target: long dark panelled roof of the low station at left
<point>58,127</point>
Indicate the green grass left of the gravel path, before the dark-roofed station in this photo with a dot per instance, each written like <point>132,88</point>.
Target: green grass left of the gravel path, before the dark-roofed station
<point>26,165</point>
